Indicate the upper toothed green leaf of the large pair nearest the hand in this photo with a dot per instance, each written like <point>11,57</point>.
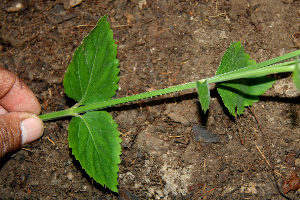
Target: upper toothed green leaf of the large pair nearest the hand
<point>92,76</point>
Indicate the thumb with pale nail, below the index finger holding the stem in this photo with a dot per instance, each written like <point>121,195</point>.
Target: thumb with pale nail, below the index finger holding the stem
<point>17,129</point>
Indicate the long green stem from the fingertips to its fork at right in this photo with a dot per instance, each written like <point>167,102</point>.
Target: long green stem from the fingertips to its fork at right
<point>248,72</point>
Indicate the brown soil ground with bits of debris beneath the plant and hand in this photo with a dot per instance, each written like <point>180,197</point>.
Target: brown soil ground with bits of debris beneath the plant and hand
<point>164,152</point>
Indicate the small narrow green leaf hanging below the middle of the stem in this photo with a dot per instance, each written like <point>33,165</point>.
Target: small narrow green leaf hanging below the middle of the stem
<point>203,94</point>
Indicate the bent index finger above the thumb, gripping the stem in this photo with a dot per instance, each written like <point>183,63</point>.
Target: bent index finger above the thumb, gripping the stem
<point>15,96</point>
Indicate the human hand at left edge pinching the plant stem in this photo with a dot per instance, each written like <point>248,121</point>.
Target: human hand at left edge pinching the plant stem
<point>19,123</point>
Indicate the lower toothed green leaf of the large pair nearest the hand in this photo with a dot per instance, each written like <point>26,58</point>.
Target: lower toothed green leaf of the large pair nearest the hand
<point>95,142</point>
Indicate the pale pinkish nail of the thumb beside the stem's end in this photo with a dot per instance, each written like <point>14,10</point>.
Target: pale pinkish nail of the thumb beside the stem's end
<point>31,129</point>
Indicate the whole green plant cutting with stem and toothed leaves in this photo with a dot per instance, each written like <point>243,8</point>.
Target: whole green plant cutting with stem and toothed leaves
<point>92,81</point>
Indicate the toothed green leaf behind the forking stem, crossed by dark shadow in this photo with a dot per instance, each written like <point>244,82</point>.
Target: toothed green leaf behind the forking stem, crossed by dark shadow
<point>238,94</point>
